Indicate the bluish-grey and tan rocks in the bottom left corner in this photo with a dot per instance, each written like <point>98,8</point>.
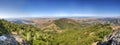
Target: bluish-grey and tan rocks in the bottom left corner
<point>8,39</point>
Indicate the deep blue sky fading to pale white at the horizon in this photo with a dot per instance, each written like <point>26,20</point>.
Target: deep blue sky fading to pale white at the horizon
<point>58,8</point>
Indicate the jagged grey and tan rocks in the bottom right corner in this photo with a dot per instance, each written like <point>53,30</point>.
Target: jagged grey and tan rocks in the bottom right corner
<point>111,39</point>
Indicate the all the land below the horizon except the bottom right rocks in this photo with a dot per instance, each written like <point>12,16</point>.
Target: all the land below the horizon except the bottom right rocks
<point>57,31</point>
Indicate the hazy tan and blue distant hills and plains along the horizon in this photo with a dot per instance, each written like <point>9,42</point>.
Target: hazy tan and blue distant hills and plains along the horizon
<point>42,22</point>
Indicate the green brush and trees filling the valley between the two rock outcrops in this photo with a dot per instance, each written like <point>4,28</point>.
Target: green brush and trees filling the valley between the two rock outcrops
<point>77,36</point>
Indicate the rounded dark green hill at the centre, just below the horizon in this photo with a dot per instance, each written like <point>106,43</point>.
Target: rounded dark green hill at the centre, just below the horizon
<point>65,23</point>
